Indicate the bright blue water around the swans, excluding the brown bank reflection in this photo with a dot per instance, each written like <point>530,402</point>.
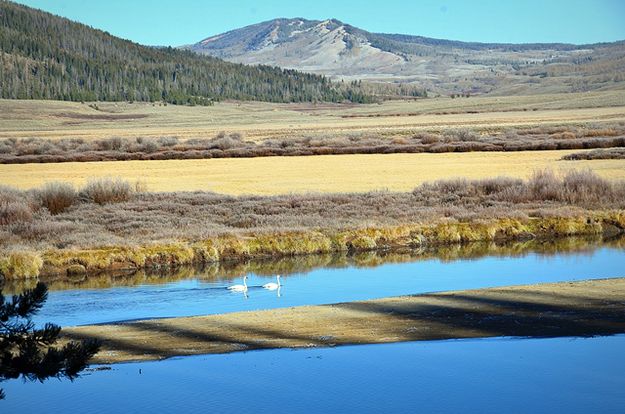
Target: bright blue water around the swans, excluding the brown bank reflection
<point>194,295</point>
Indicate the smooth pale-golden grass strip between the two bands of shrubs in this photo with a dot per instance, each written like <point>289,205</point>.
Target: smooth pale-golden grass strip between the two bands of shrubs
<point>331,173</point>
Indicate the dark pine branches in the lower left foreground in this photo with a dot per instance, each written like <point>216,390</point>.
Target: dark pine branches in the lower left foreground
<point>29,352</point>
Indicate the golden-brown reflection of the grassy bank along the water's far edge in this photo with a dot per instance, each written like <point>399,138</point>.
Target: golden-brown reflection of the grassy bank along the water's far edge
<point>287,266</point>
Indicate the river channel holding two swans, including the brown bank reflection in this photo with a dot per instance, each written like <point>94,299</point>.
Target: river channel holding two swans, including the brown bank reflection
<point>311,280</point>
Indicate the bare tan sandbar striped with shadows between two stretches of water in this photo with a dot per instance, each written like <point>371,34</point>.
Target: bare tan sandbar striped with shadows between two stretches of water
<point>544,310</point>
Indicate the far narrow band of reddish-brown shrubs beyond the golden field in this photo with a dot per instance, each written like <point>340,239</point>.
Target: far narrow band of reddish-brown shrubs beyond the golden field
<point>13,150</point>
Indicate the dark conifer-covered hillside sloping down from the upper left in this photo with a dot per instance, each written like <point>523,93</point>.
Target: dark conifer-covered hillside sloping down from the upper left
<point>43,56</point>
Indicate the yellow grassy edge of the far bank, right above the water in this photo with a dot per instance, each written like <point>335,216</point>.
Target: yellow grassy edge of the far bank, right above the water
<point>25,264</point>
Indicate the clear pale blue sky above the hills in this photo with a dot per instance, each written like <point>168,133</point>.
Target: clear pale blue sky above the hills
<point>177,22</point>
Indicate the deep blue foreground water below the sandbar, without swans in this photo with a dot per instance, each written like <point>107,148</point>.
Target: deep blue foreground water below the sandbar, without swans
<point>482,376</point>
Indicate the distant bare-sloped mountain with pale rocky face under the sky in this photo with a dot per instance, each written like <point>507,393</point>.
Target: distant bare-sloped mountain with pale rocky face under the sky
<point>339,50</point>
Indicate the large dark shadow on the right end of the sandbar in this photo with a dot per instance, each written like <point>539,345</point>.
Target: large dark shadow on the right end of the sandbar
<point>535,316</point>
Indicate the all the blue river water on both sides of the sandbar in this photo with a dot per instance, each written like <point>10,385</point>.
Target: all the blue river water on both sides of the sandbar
<point>569,375</point>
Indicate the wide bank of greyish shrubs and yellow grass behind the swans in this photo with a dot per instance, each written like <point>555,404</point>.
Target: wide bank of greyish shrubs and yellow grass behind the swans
<point>105,225</point>
